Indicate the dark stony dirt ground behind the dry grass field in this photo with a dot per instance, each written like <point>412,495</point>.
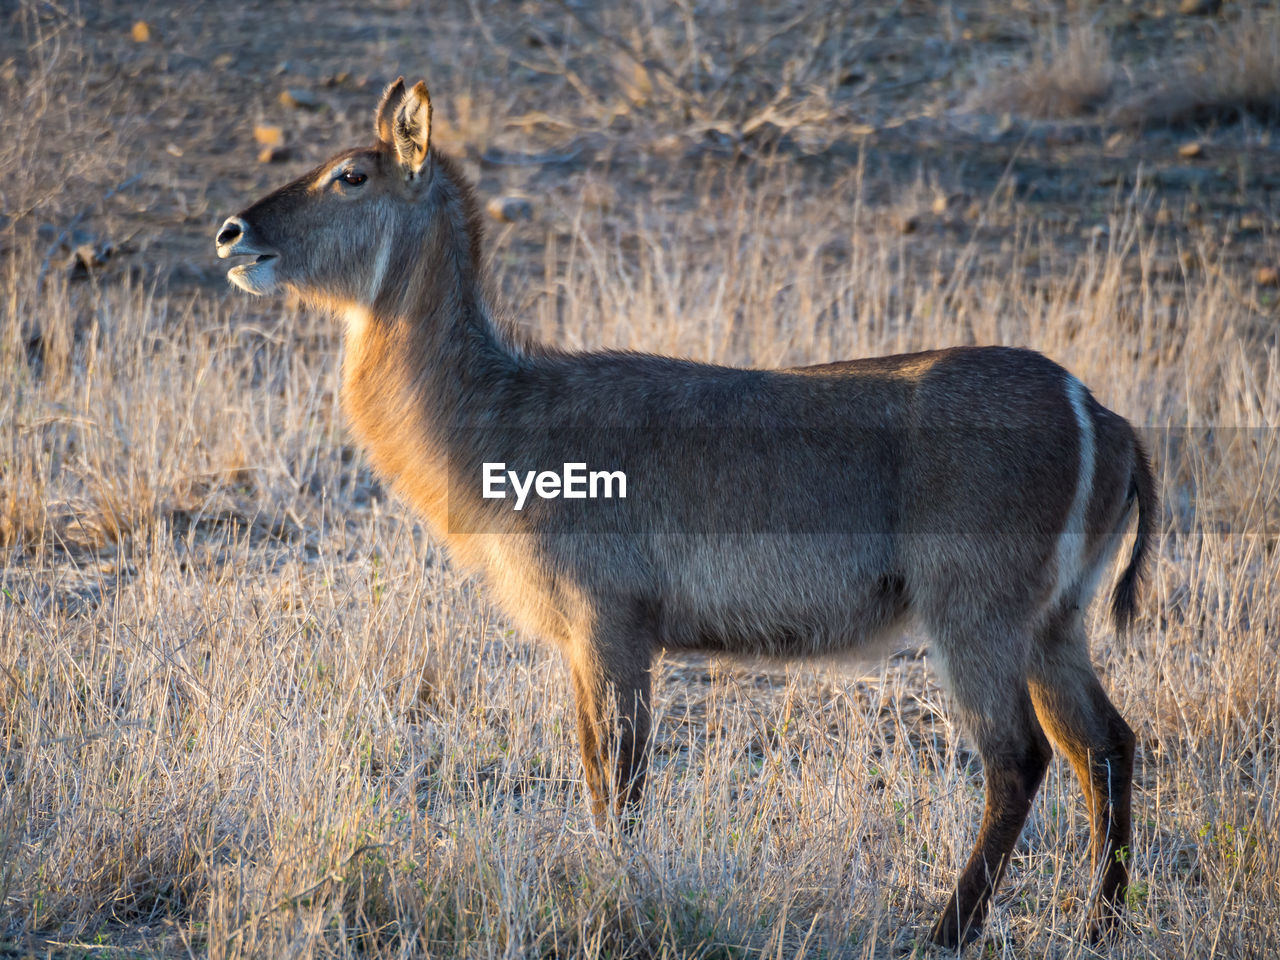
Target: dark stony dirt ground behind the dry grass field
<point>545,102</point>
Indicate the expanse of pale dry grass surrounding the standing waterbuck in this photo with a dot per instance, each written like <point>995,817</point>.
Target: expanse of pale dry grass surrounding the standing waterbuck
<point>249,710</point>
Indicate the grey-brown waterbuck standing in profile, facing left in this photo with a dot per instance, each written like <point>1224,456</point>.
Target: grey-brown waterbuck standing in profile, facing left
<point>789,514</point>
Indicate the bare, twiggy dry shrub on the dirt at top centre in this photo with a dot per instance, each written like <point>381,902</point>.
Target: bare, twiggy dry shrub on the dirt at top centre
<point>715,68</point>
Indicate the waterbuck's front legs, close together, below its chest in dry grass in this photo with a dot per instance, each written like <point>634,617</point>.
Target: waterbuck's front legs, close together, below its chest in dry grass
<point>612,700</point>
